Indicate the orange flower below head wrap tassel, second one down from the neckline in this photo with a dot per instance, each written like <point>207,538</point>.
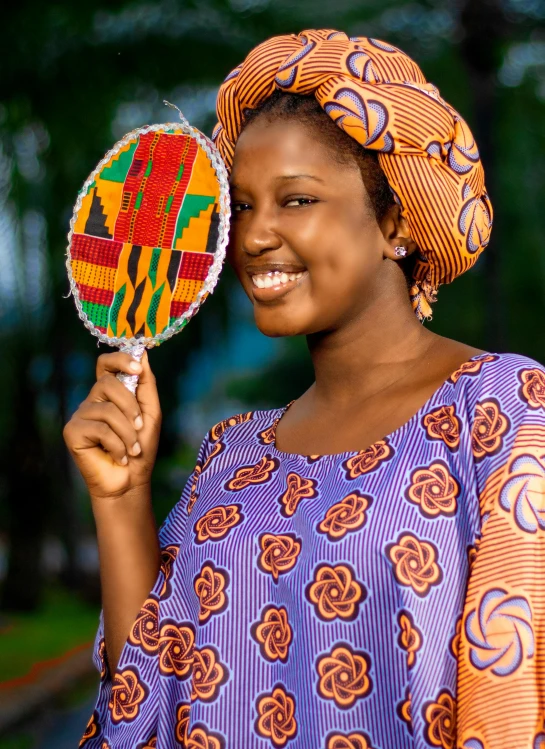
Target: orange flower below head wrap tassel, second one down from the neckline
<point>434,490</point>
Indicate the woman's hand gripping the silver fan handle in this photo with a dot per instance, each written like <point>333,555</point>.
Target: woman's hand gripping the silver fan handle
<point>113,436</point>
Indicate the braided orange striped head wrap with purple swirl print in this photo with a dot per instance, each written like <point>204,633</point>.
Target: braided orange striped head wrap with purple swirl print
<point>379,96</point>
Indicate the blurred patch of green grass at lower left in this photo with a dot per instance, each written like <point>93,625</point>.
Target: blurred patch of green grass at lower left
<point>62,623</point>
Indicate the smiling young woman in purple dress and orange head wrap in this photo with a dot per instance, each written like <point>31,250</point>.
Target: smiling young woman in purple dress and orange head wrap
<point>363,567</point>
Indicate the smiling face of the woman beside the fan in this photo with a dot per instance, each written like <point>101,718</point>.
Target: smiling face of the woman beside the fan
<point>305,242</point>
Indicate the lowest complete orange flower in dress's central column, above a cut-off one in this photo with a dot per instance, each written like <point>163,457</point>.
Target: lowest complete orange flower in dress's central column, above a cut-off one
<point>343,676</point>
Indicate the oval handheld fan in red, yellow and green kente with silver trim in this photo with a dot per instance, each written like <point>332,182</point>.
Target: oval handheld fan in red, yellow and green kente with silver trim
<point>148,236</point>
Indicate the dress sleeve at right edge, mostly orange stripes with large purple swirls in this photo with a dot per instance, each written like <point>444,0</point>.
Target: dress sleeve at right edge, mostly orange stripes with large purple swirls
<point>501,650</point>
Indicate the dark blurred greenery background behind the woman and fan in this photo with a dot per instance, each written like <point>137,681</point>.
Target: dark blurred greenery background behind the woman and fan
<point>75,77</point>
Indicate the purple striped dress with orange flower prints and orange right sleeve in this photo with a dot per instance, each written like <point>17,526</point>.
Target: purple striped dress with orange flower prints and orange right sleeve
<point>388,598</point>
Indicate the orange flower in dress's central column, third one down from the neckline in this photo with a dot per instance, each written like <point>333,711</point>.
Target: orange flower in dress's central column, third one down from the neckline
<point>335,592</point>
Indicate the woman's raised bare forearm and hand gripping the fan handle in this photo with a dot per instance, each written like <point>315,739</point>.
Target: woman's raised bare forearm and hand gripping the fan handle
<point>113,438</point>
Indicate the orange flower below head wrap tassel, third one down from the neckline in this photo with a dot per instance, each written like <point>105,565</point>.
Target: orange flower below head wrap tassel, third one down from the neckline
<point>414,563</point>
